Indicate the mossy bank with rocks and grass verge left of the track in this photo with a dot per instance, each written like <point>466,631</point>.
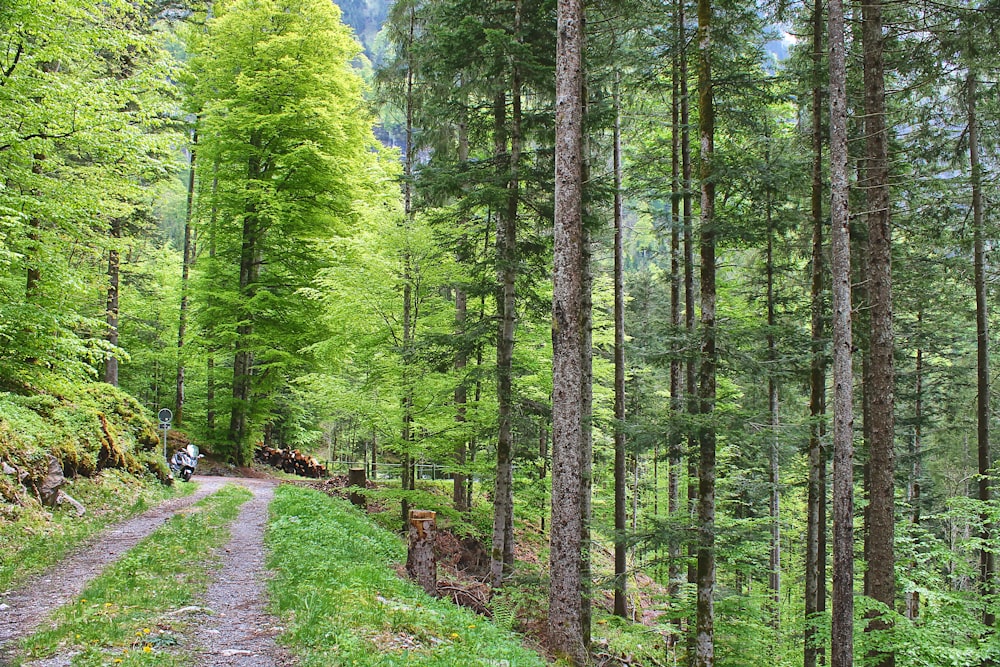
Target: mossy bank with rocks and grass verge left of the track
<point>106,446</point>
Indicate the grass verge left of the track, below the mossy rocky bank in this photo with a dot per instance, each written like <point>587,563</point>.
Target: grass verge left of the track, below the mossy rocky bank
<point>33,538</point>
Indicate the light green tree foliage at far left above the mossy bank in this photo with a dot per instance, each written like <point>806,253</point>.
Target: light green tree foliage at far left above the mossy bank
<point>83,138</point>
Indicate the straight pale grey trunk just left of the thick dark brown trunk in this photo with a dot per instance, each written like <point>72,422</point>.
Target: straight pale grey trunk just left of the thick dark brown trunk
<point>815,574</point>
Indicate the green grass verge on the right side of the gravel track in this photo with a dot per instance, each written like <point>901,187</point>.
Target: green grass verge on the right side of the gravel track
<point>343,604</point>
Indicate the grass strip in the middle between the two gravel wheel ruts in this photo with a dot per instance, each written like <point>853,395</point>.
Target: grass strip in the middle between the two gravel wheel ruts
<point>119,617</point>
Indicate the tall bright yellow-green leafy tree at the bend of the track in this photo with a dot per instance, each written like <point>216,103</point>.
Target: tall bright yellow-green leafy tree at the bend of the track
<point>281,115</point>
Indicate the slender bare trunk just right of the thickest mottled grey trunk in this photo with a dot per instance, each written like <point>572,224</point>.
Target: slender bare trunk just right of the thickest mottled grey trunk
<point>620,545</point>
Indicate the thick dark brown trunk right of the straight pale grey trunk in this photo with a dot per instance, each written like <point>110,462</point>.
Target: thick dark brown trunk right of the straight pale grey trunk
<point>881,563</point>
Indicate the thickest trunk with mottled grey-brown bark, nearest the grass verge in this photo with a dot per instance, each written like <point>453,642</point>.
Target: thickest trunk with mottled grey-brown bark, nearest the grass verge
<point>566,632</point>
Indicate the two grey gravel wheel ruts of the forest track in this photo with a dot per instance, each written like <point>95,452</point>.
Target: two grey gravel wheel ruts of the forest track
<point>232,624</point>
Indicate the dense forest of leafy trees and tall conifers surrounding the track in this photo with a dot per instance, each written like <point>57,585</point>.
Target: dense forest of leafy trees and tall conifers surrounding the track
<point>697,292</point>
